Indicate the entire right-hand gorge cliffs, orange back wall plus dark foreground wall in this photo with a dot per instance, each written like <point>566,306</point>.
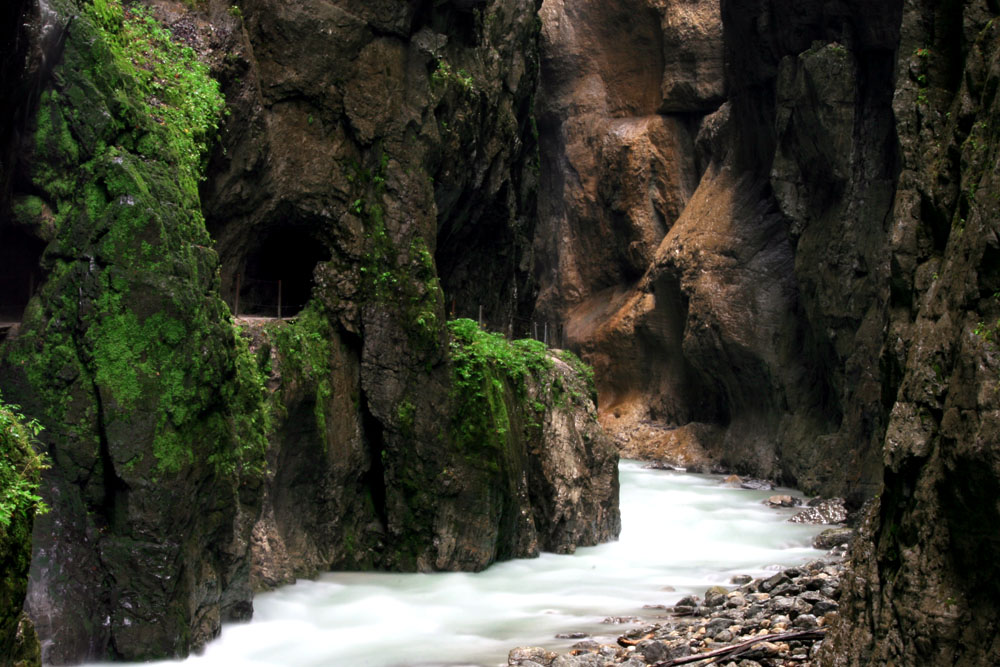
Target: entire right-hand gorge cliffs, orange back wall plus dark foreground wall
<point>819,302</point>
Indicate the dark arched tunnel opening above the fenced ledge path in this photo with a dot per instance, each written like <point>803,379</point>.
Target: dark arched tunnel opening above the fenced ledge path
<point>277,276</point>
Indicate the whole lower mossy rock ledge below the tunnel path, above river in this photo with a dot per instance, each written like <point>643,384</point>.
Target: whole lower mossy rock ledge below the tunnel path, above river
<point>519,463</point>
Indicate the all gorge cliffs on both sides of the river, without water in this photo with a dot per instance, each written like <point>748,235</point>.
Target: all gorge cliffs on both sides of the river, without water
<point>769,226</point>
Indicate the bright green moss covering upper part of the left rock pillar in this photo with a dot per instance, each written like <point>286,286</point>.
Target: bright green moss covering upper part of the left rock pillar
<point>130,310</point>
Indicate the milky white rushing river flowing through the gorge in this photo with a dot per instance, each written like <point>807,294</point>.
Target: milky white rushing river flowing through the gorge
<point>680,534</point>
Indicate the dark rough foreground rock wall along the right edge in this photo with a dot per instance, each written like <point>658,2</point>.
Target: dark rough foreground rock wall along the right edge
<point>923,578</point>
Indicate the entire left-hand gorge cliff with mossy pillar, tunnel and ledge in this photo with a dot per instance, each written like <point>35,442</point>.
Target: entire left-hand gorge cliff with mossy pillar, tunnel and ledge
<point>375,159</point>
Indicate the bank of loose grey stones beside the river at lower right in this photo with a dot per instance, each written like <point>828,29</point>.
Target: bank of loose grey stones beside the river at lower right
<point>770,622</point>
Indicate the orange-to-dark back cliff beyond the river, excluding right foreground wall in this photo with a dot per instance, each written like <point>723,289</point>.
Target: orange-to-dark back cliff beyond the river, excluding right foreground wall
<point>723,262</point>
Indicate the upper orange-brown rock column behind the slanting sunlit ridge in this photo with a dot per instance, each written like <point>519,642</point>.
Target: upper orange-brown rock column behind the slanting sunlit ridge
<point>620,170</point>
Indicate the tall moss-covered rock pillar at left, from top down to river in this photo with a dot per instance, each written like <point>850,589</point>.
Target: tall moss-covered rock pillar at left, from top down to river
<point>127,354</point>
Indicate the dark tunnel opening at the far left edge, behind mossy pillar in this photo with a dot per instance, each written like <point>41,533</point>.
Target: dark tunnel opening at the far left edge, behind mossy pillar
<point>20,275</point>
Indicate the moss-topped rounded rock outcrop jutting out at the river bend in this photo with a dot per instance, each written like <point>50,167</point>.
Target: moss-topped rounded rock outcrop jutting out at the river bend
<point>520,465</point>
